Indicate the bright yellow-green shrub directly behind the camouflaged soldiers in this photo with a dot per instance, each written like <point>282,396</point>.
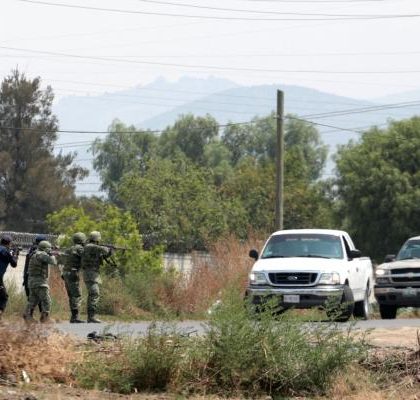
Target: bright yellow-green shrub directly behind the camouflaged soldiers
<point>117,227</point>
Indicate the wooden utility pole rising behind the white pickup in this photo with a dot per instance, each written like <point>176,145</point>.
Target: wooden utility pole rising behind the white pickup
<point>280,160</point>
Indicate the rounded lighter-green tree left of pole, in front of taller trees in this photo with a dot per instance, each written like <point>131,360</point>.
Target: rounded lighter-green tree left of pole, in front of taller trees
<point>175,203</point>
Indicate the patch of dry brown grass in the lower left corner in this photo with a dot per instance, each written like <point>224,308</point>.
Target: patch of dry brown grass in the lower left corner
<point>41,352</point>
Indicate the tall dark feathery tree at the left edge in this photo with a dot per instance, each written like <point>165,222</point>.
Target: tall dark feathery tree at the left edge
<point>33,181</point>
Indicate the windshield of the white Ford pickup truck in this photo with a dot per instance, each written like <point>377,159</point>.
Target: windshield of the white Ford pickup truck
<point>303,245</point>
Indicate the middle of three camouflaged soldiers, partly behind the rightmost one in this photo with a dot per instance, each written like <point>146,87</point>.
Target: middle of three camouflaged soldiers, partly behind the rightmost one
<point>70,273</point>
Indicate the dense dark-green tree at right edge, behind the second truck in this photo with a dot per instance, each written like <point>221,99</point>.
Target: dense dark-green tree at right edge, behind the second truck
<point>378,187</point>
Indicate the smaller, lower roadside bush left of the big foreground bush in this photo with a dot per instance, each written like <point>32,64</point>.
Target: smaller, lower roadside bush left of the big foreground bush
<point>149,363</point>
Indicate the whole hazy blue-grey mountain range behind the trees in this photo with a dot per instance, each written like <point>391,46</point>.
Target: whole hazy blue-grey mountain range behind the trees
<point>160,103</point>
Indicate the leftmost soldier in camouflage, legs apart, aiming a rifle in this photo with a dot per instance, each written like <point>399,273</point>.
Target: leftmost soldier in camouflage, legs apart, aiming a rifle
<point>39,291</point>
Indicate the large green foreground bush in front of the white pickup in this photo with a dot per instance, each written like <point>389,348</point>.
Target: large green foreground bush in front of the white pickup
<point>271,354</point>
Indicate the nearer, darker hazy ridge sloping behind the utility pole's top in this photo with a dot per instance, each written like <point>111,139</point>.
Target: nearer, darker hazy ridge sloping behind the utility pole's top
<point>244,103</point>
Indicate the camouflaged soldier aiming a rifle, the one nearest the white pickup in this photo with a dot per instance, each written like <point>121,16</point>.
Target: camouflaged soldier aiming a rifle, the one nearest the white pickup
<point>92,258</point>
